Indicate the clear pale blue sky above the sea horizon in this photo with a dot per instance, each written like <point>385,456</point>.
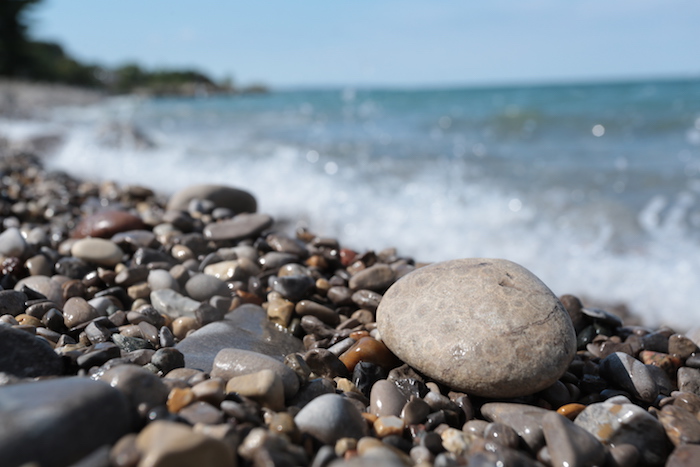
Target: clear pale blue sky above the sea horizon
<point>385,42</point>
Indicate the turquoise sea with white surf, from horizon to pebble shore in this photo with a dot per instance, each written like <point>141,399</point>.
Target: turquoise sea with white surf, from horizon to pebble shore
<point>593,187</point>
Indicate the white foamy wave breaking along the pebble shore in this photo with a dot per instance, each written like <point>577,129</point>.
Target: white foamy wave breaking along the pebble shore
<point>438,213</point>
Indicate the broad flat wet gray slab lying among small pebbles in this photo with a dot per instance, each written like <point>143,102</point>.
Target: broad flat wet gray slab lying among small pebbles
<point>246,328</point>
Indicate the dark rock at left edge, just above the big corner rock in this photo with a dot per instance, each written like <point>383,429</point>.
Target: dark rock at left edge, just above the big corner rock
<point>23,354</point>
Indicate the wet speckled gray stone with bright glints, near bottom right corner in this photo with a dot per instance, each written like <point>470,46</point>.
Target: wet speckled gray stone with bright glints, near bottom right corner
<point>617,421</point>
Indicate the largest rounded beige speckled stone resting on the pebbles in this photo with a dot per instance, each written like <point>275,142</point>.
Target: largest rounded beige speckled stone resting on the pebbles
<point>487,327</point>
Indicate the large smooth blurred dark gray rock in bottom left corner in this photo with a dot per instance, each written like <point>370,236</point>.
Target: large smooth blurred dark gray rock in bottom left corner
<point>57,422</point>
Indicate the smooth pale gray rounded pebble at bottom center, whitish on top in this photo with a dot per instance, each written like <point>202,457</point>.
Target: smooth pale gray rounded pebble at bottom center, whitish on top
<point>330,417</point>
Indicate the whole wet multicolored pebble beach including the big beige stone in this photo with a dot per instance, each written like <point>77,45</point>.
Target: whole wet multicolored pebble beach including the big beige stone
<point>137,330</point>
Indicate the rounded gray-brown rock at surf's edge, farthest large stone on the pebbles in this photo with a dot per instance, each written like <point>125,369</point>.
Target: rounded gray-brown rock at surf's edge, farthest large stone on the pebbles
<point>222,196</point>
